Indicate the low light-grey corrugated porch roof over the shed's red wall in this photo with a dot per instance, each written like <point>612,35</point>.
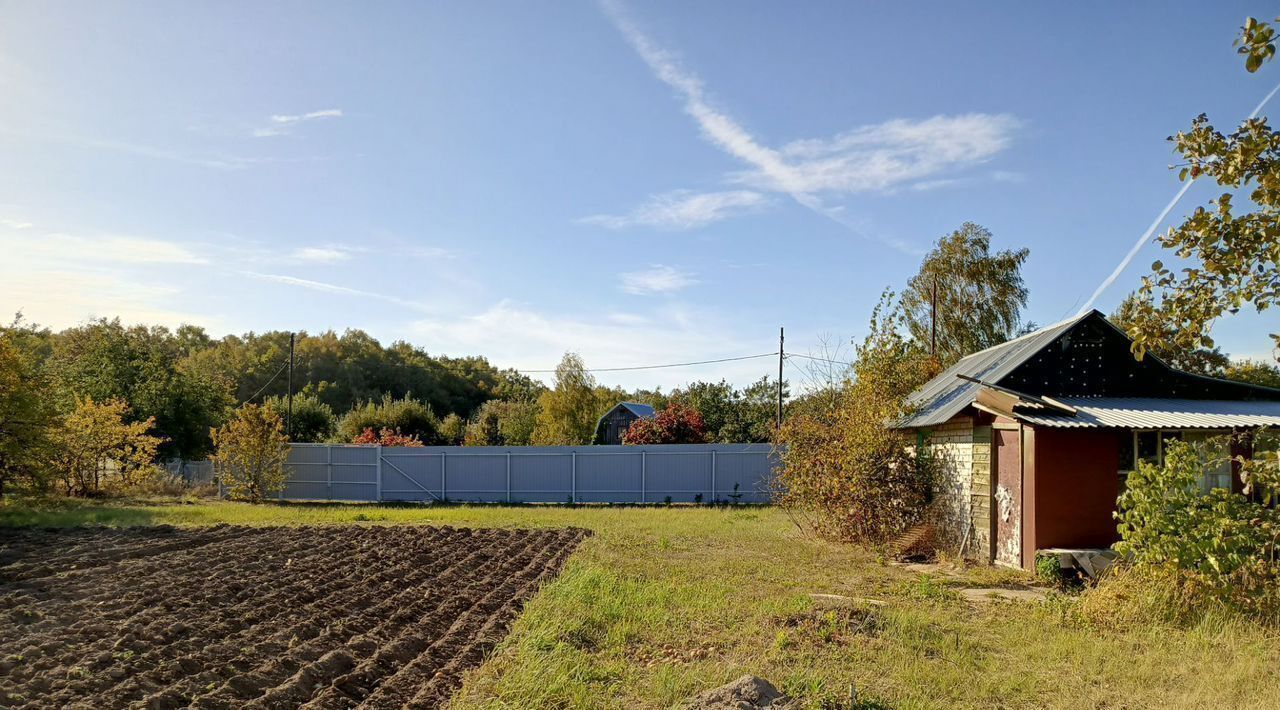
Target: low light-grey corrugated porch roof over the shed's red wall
<point>1126,413</point>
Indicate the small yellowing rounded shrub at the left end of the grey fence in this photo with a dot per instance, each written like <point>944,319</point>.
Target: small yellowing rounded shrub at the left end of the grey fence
<point>252,454</point>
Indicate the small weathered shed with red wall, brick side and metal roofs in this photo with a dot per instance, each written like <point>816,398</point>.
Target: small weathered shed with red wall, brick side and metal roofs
<point>1036,437</point>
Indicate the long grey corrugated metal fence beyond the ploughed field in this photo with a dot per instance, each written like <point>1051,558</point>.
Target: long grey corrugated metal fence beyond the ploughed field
<point>685,474</point>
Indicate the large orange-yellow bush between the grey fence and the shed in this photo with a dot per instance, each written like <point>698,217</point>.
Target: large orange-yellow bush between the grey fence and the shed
<point>848,475</point>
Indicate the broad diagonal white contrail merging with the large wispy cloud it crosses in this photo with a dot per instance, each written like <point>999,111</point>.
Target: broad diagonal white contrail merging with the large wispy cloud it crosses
<point>872,158</point>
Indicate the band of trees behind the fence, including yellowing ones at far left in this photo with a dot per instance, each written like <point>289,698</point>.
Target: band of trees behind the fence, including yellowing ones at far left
<point>117,393</point>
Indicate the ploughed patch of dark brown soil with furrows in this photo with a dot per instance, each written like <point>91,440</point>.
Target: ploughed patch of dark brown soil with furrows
<point>267,617</point>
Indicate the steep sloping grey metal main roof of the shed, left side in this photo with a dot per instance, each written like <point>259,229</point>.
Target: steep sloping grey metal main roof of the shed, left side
<point>945,396</point>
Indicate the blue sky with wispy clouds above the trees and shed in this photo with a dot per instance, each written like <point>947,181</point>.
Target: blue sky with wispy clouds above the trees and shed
<point>642,184</point>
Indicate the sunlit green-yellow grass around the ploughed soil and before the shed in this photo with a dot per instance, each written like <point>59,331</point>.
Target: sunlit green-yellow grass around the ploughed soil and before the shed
<point>662,603</point>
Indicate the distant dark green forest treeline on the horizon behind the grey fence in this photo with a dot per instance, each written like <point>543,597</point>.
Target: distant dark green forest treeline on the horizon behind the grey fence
<point>190,383</point>
